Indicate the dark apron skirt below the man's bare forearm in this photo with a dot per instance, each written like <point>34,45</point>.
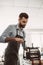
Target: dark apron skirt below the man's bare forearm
<point>11,54</point>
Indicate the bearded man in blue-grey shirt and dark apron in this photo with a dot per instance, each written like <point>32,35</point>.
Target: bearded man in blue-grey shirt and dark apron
<point>15,36</point>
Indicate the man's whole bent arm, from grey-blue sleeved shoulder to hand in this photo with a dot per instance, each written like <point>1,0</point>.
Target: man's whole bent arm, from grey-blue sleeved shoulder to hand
<point>5,37</point>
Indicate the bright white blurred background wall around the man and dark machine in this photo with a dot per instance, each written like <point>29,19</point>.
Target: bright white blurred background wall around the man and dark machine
<point>9,12</point>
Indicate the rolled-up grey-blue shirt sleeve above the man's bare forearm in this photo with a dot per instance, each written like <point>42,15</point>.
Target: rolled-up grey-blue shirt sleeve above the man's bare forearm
<point>5,34</point>
